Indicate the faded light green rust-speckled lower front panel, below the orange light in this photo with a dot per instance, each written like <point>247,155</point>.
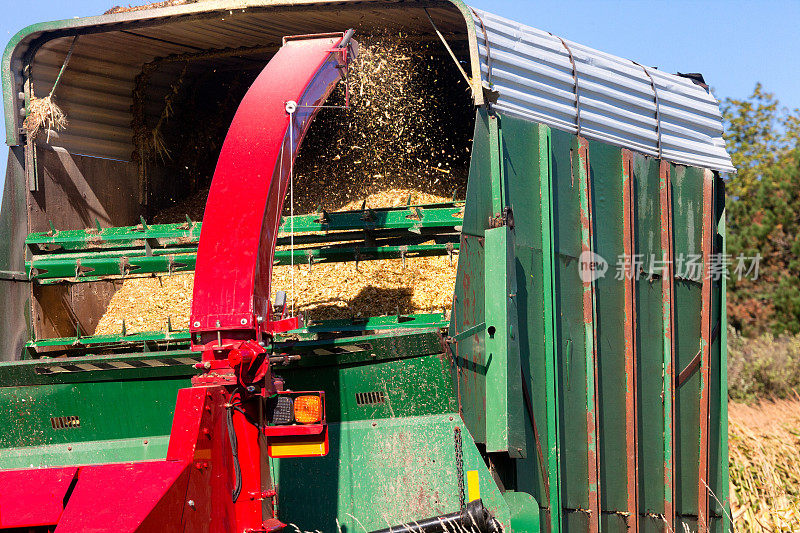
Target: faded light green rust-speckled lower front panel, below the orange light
<point>381,473</point>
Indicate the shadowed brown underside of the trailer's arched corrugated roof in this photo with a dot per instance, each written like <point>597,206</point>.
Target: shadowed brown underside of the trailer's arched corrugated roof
<point>96,90</point>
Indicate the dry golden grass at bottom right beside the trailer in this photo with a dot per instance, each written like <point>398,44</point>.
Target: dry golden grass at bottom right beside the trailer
<point>764,443</point>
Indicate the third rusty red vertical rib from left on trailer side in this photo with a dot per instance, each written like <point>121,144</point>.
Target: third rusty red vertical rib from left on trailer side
<point>668,319</point>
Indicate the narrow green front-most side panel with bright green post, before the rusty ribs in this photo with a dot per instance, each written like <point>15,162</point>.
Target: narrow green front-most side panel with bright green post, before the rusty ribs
<point>526,162</point>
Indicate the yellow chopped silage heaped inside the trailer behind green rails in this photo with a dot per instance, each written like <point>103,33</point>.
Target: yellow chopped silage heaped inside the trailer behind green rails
<point>321,291</point>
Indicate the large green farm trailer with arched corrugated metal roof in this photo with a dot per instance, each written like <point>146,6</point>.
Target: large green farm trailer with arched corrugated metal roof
<point>578,383</point>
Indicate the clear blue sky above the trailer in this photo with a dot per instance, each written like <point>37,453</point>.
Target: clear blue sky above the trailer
<point>734,44</point>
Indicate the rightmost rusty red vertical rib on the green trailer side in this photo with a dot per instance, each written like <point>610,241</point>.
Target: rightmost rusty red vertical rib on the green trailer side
<point>705,351</point>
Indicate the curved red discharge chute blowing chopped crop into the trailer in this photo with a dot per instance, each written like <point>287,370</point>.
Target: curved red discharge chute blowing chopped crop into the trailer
<point>243,213</point>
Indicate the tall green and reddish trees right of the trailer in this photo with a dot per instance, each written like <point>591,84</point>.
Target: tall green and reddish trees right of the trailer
<point>764,211</point>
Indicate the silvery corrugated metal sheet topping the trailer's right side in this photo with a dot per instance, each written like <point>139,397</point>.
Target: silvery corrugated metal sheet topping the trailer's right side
<point>615,100</point>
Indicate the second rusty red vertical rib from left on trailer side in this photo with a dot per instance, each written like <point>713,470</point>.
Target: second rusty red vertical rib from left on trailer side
<point>631,348</point>
